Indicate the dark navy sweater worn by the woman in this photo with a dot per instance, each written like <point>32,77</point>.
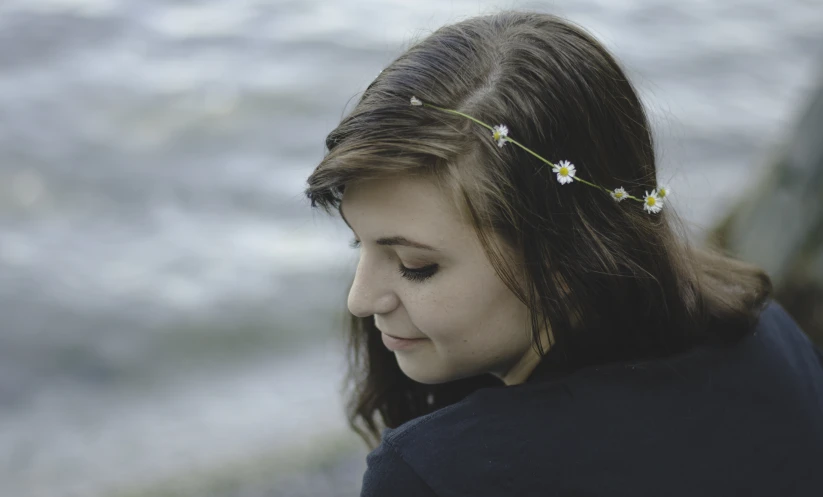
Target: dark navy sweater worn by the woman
<point>745,420</point>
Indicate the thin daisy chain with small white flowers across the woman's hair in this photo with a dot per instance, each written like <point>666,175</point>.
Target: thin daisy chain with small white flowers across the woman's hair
<point>566,172</point>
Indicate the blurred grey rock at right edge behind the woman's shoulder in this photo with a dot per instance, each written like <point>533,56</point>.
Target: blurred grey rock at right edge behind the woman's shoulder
<point>779,224</point>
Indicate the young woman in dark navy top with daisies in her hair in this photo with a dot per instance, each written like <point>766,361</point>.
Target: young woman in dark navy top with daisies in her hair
<point>527,315</point>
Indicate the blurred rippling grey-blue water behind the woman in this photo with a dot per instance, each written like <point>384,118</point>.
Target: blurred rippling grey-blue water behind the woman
<point>169,306</point>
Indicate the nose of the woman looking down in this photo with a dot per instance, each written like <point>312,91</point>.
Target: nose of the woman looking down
<point>371,291</point>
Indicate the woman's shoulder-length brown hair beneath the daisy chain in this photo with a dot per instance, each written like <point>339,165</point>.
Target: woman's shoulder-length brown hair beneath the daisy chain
<point>612,281</point>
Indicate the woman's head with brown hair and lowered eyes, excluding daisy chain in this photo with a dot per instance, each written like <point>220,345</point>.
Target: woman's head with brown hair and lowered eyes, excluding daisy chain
<point>605,280</point>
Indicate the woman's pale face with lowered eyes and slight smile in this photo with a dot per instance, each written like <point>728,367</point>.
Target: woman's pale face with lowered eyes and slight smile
<point>450,297</point>
